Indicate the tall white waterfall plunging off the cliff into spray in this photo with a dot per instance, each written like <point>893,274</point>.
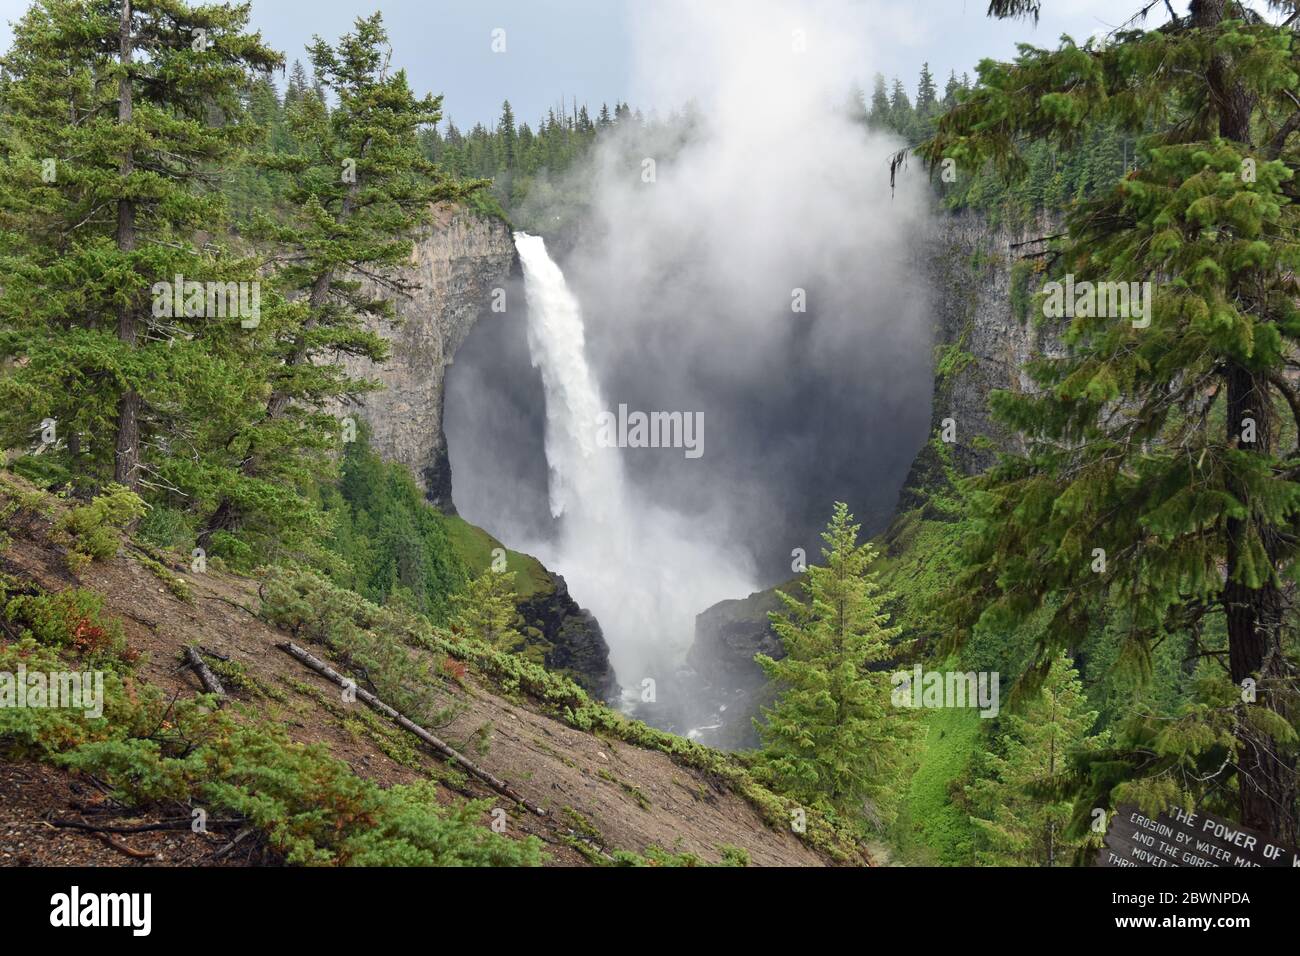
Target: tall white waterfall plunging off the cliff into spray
<point>645,573</point>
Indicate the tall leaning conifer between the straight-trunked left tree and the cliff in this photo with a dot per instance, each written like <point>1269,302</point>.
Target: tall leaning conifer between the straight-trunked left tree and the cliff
<point>359,188</point>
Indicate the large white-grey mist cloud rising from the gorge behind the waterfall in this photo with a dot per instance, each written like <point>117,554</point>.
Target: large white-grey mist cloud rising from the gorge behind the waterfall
<point>690,272</point>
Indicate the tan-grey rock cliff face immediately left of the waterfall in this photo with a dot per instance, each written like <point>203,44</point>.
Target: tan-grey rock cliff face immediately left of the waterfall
<point>457,263</point>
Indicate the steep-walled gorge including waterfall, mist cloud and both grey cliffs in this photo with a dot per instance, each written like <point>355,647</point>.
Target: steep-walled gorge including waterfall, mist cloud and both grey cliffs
<point>822,330</point>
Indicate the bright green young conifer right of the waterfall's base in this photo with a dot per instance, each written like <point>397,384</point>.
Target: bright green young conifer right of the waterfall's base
<point>834,739</point>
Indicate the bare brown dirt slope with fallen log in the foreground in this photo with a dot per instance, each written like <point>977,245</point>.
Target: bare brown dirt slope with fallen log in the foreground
<point>604,791</point>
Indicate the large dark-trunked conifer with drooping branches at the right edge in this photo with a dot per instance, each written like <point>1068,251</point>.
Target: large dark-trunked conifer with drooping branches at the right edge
<point>1162,470</point>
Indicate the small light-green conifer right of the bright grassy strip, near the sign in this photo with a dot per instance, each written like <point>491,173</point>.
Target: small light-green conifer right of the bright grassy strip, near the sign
<point>1016,799</point>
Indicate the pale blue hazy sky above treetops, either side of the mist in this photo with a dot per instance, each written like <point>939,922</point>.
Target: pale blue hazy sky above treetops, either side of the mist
<point>588,49</point>
